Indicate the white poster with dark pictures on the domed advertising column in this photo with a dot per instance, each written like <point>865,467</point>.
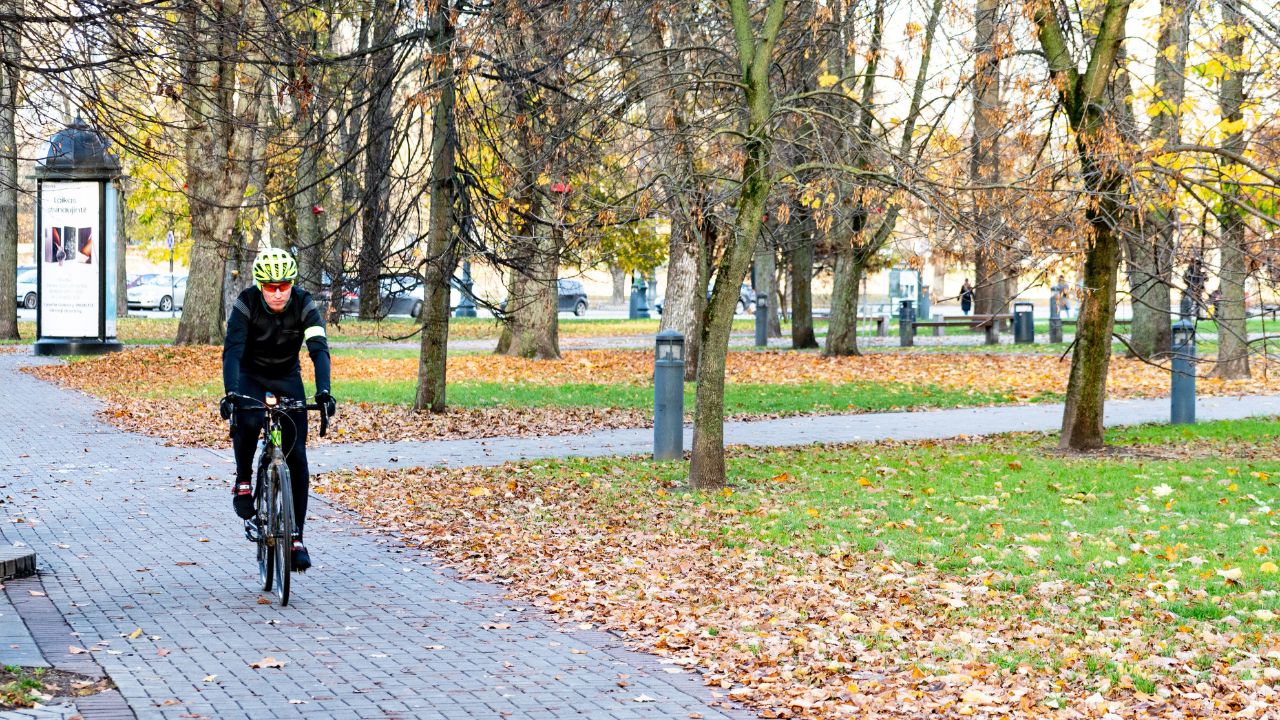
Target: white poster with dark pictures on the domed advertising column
<point>70,274</point>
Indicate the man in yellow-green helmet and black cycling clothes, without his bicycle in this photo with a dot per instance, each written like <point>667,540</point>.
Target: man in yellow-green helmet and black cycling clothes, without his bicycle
<point>268,325</point>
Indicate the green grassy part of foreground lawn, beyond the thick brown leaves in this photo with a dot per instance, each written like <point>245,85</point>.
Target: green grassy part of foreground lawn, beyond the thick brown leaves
<point>1186,514</point>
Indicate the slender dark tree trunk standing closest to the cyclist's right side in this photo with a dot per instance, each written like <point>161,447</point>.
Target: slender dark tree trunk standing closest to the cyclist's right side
<point>441,252</point>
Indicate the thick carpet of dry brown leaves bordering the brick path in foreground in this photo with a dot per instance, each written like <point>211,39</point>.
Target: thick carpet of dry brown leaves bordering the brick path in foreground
<point>797,635</point>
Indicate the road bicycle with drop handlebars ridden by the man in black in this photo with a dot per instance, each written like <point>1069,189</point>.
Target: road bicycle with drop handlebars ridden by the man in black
<point>273,526</point>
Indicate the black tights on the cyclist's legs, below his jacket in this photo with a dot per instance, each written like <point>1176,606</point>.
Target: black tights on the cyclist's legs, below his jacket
<point>294,441</point>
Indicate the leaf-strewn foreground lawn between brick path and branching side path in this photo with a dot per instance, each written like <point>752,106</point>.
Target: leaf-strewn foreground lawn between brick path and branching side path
<point>994,578</point>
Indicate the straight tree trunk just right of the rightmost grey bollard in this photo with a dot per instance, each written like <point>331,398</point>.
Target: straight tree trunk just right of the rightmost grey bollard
<point>1233,338</point>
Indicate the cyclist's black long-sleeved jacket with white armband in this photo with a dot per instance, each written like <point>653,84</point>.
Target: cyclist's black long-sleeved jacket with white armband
<point>267,344</point>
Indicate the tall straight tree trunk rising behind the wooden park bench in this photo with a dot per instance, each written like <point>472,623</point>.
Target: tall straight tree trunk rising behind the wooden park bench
<point>990,289</point>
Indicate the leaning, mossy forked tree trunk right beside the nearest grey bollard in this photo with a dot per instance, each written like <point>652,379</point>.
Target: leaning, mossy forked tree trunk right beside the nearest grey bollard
<point>756,56</point>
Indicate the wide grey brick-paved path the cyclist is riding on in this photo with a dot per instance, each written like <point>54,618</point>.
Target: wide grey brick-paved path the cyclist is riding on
<point>132,536</point>
